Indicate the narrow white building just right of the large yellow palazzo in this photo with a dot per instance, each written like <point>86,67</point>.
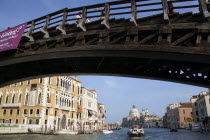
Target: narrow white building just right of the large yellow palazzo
<point>89,110</point>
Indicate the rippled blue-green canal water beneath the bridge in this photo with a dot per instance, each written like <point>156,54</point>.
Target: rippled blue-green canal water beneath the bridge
<point>150,134</point>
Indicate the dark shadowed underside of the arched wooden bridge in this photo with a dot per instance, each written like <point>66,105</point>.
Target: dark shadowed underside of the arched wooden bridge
<point>150,65</point>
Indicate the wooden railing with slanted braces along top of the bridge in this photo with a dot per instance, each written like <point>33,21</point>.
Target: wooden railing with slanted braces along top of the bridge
<point>130,9</point>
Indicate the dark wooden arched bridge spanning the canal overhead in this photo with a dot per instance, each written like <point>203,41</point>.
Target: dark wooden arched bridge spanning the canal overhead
<point>156,39</point>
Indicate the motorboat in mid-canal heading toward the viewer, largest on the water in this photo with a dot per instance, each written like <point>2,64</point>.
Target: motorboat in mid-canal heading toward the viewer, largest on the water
<point>136,131</point>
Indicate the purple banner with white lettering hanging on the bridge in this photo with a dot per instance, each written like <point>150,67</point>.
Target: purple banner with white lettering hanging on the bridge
<point>10,38</point>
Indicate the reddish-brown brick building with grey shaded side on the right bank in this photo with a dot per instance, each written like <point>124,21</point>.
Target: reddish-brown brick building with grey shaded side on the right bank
<point>179,115</point>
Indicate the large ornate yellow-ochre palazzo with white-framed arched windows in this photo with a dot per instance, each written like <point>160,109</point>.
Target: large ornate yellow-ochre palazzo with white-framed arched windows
<point>47,103</point>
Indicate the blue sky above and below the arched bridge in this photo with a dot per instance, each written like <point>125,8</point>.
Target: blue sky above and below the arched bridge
<point>117,93</point>
